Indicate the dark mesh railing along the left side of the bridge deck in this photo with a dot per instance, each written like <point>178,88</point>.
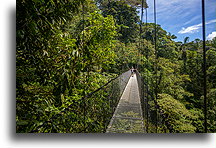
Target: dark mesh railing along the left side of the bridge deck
<point>90,114</point>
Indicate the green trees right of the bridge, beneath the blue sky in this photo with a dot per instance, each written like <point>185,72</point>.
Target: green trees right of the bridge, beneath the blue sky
<point>176,70</point>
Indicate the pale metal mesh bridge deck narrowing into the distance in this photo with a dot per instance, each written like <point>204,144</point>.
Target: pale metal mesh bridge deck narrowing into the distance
<point>128,116</point>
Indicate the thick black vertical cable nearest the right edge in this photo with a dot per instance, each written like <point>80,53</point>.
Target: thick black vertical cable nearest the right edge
<point>204,66</point>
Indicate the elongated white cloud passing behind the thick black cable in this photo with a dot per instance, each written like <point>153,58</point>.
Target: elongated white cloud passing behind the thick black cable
<point>194,28</point>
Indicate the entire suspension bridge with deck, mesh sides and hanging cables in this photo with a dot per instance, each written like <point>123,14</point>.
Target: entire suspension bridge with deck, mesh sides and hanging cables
<point>128,106</point>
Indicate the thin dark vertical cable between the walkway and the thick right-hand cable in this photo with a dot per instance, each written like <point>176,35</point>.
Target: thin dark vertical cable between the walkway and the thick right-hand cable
<point>156,54</point>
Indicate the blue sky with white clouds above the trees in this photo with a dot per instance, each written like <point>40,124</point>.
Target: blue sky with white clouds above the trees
<point>183,18</point>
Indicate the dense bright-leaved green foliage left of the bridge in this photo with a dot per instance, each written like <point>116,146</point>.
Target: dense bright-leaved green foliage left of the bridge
<point>59,62</point>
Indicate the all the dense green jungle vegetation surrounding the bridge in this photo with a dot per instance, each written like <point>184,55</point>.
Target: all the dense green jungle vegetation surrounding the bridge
<point>66,49</point>
